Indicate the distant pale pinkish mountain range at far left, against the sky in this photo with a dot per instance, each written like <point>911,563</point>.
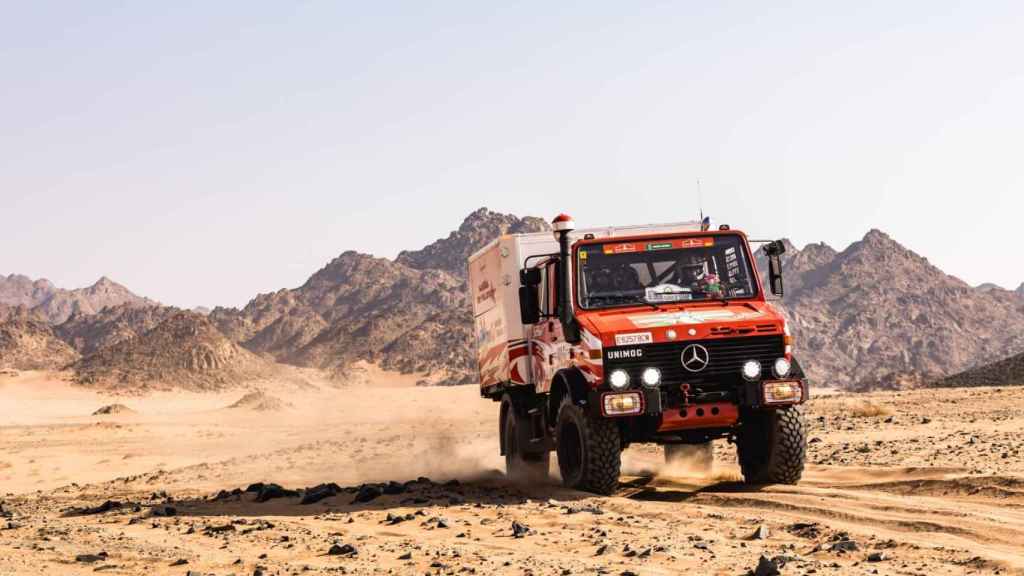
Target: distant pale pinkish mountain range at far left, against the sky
<point>57,305</point>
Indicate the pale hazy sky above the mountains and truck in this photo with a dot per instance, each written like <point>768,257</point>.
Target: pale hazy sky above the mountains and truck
<point>203,152</point>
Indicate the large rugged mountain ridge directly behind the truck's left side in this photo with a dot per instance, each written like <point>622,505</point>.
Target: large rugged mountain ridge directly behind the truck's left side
<point>410,314</point>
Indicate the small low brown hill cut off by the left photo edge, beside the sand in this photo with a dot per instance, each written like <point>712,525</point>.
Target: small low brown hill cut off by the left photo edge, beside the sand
<point>30,345</point>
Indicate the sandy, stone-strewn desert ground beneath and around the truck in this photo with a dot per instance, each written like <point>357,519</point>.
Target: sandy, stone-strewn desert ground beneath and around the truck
<point>395,479</point>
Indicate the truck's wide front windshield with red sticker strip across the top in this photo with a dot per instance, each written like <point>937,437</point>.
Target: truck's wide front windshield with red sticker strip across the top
<point>709,268</point>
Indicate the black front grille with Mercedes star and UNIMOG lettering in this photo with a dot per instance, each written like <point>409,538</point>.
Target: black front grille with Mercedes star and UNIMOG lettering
<point>727,357</point>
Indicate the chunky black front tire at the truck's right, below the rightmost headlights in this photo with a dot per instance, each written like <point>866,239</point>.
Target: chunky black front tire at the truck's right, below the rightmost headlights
<point>773,446</point>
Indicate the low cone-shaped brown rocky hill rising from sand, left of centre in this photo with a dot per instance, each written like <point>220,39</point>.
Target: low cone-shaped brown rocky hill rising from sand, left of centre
<point>185,351</point>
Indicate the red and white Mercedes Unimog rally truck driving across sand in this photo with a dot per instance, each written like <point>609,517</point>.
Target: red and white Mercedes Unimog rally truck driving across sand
<point>593,340</point>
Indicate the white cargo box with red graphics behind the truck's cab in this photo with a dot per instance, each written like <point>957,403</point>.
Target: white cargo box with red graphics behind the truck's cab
<point>503,353</point>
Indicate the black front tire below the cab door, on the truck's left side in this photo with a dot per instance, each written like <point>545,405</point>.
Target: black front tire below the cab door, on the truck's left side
<point>589,450</point>
